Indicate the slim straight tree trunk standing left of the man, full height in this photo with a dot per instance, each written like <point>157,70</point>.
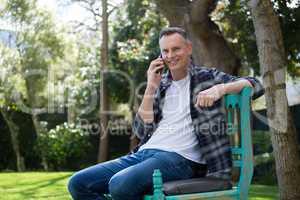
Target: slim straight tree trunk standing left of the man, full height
<point>104,136</point>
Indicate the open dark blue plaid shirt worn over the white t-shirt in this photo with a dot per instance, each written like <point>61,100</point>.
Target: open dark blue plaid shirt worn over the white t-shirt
<point>208,123</point>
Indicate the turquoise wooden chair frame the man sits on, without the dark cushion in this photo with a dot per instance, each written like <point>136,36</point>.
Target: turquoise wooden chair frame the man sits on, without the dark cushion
<point>238,126</point>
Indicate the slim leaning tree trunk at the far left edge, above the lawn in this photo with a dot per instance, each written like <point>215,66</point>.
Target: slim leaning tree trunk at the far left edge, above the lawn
<point>14,133</point>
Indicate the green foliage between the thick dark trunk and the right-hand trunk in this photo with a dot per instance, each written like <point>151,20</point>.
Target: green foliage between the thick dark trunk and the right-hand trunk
<point>237,27</point>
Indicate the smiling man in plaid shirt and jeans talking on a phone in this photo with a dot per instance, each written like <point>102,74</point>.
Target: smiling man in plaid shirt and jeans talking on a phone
<point>180,124</point>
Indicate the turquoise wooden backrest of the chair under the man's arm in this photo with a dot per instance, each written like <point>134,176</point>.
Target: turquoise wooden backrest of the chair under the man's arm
<point>238,122</point>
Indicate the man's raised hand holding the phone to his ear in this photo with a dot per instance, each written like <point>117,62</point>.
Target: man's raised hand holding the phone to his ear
<point>153,75</point>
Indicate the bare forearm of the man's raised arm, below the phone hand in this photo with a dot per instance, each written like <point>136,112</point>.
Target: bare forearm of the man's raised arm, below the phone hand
<point>146,107</point>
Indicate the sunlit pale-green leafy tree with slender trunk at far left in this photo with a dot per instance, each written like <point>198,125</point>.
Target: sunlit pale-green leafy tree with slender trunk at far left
<point>38,45</point>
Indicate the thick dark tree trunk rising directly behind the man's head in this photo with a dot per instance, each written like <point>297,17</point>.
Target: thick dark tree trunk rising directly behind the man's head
<point>210,49</point>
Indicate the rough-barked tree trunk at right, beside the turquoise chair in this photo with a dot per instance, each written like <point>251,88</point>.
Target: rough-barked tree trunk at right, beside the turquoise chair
<point>273,63</point>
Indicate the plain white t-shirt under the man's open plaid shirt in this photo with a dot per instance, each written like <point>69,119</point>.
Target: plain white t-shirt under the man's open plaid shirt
<point>175,131</point>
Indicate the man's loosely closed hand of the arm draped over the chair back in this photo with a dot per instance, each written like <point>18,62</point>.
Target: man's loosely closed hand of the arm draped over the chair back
<point>207,97</point>
